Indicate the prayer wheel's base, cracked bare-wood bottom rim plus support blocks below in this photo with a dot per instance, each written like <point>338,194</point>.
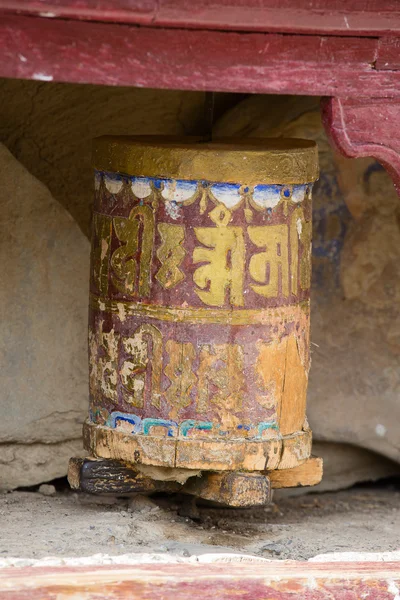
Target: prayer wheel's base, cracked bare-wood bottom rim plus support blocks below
<point>238,473</point>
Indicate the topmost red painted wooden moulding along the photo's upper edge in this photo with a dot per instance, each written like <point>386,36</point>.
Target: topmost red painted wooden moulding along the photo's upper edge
<point>343,17</point>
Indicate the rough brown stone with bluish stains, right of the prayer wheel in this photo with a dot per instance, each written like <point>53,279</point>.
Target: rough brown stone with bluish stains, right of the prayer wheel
<point>354,385</point>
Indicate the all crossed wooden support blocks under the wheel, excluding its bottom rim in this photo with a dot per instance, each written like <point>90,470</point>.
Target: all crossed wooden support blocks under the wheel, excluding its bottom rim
<point>235,489</point>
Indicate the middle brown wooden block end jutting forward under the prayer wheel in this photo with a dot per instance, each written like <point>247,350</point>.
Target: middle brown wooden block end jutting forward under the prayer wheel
<point>233,489</point>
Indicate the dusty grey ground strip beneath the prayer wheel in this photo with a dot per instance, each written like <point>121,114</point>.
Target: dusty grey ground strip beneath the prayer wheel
<point>68,524</point>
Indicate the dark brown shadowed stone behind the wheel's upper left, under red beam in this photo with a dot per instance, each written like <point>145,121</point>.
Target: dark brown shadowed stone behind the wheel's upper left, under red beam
<point>50,127</point>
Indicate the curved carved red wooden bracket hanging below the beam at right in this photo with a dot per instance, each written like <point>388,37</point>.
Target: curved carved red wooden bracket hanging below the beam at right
<point>365,127</point>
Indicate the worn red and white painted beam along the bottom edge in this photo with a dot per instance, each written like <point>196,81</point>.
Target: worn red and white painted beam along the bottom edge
<point>275,580</point>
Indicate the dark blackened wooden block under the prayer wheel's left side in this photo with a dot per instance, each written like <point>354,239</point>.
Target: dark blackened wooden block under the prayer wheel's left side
<point>96,476</point>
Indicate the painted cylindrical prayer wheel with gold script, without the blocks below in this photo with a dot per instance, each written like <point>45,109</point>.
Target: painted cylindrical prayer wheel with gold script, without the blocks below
<point>199,303</point>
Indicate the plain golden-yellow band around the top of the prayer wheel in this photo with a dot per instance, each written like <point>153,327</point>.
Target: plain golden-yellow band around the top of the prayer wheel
<point>246,162</point>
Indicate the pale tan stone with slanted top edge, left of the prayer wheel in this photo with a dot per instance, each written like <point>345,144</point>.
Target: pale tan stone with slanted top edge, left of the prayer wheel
<point>43,299</point>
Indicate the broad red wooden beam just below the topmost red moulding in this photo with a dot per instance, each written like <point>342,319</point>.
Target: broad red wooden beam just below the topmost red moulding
<point>110,54</point>
